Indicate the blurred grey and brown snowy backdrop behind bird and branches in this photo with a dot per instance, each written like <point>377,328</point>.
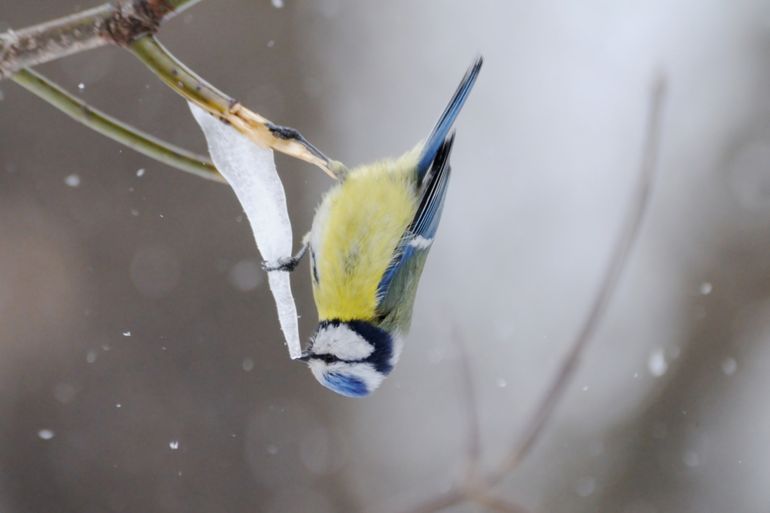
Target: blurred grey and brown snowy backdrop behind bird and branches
<point>141,364</point>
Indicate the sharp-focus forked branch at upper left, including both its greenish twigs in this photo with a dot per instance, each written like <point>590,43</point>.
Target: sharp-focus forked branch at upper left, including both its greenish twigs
<point>132,24</point>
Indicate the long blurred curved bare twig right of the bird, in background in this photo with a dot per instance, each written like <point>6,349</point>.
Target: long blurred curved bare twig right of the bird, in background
<point>480,491</point>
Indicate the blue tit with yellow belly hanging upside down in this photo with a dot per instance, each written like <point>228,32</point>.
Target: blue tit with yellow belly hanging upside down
<point>368,245</point>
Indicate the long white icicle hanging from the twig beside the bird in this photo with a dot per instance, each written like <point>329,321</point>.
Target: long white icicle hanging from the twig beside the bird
<point>250,171</point>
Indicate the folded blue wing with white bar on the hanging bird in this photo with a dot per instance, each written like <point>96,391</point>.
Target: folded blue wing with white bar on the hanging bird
<point>419,235</point>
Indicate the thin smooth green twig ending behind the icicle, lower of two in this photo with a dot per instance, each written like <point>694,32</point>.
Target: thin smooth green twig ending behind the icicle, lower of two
<point>103,123</point>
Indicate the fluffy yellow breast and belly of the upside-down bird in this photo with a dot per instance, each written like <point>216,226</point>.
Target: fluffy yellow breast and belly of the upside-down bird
<point>355,232</point>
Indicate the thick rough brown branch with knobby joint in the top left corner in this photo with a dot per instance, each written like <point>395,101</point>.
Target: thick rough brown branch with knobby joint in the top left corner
<point>119,23</point>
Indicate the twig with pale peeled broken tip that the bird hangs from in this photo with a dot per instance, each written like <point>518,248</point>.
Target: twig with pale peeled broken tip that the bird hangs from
<point>260,130</point>
